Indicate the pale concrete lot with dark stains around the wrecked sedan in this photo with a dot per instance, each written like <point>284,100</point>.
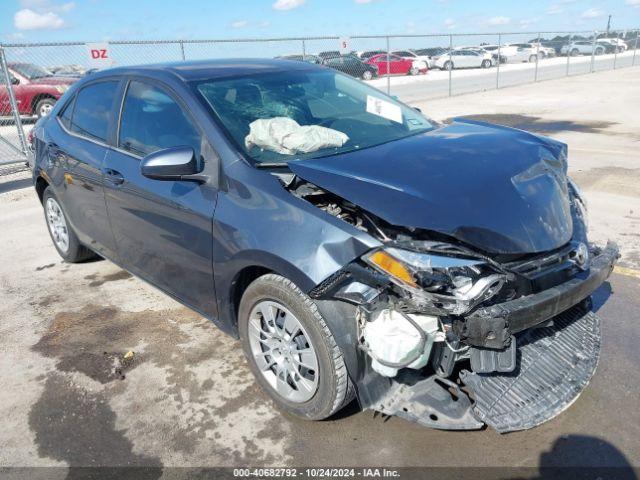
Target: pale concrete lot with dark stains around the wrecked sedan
<point>187,398</point>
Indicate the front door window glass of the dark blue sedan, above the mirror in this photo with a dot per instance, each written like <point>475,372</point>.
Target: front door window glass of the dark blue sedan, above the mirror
<point>152,121</point>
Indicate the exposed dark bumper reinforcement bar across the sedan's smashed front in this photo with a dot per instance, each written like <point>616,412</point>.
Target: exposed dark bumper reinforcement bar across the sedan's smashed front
<point>492,327</point>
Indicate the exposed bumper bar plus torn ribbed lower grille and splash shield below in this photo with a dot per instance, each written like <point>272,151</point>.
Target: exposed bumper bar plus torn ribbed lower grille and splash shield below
<point>557,338</point>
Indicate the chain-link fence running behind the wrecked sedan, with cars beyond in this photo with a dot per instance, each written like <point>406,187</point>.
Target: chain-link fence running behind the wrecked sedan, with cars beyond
<point>413,68</point>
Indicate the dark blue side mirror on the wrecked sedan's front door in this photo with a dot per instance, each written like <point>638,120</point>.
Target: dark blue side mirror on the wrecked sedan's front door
<point>176,163</point>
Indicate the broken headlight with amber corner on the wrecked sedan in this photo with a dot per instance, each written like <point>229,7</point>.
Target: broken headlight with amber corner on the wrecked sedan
<point>437,283</point>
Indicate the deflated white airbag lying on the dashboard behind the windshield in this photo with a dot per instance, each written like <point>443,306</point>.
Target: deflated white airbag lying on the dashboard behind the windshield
<point>285,135</point>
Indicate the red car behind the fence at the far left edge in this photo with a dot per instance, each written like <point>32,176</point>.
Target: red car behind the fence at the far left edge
<point>35,88</point>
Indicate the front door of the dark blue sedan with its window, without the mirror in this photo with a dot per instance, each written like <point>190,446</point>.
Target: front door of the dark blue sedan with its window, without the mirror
<point>163,229</point>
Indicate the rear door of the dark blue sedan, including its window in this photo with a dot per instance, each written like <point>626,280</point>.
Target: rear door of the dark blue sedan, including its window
<point>78,140</point>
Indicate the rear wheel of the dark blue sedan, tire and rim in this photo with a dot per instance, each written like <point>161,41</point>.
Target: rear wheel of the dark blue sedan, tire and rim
<point>62,235</point>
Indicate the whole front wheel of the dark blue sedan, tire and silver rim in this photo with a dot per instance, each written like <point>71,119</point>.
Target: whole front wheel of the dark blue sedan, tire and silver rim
<point>291,350</point>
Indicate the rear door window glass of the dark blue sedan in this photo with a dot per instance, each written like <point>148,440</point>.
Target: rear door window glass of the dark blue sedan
<point>93,107</point>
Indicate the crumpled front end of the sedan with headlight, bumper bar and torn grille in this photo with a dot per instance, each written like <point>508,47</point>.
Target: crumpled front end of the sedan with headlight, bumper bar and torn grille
<point>453,338</point>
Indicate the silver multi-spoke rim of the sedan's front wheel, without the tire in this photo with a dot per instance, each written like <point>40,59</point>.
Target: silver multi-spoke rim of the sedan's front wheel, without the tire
<point>283,351</point>
